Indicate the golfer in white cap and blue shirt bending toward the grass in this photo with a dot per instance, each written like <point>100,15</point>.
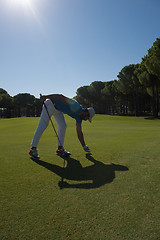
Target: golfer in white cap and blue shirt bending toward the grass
<point>58,105</point>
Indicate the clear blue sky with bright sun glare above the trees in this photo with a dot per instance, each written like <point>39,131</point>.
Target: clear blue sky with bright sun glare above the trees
<point>57,46</point>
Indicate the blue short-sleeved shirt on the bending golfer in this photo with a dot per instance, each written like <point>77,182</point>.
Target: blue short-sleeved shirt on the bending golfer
<point>71,108</point>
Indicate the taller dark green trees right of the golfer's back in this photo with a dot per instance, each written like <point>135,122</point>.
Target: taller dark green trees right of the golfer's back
<point>135,92</point>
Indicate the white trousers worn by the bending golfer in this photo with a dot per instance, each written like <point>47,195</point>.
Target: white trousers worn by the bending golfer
<point>44,121</point>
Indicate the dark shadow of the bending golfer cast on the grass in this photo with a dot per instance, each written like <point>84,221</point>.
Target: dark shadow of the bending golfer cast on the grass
<point>98,173</point>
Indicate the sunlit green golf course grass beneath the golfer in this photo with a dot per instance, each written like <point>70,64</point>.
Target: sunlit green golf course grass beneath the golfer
<point>100,200</point>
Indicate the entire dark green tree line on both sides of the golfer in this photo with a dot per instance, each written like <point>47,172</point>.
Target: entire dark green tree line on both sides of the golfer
<point>135,92</point>
